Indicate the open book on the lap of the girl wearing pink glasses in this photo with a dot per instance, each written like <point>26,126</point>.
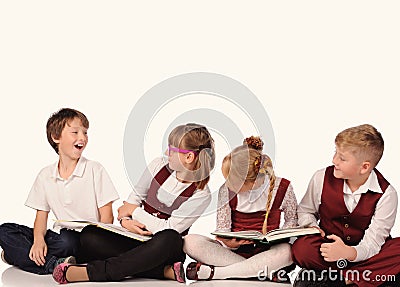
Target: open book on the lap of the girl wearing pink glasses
<point>79,224</point>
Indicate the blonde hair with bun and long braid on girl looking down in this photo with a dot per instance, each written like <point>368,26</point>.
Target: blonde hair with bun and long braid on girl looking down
<point>247,163</point>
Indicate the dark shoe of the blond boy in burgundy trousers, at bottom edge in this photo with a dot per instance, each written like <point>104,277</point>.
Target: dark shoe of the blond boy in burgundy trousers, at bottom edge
<point>314,278</point>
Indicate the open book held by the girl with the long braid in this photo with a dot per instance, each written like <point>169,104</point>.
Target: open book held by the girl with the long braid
<point>271,236</point>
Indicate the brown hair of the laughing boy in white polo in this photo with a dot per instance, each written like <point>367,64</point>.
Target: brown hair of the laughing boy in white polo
<point>58,120</point>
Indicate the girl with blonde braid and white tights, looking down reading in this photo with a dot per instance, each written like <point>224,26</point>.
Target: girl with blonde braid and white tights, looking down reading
<point>252,198</point>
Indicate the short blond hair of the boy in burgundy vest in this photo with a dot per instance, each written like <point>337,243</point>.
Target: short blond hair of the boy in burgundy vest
<point>364,141</point>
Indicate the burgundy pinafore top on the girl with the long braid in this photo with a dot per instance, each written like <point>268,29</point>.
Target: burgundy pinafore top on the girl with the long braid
<point>255,220</point>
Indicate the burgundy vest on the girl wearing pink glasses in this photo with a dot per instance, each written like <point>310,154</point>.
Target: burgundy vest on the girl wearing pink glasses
<point>153,206</point>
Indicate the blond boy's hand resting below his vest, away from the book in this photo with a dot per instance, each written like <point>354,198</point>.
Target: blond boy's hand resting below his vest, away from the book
<point>337,250</point>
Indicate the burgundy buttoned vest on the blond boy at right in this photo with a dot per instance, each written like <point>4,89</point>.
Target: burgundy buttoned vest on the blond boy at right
<point>334,215</point>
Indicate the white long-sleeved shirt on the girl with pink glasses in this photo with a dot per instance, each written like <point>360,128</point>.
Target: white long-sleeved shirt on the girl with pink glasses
<point>181,218</point>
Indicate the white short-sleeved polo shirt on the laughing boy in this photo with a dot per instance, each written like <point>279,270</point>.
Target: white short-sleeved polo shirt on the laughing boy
<point>77,198</point>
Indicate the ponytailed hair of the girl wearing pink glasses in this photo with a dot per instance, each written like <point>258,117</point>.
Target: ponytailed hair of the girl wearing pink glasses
<point>196,138</point>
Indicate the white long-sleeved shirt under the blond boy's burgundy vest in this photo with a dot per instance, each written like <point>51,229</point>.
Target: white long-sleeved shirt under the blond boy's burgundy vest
<point>382,220</point>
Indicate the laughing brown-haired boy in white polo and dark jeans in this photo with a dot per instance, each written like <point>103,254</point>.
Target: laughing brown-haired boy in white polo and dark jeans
<point>73,188</point>
